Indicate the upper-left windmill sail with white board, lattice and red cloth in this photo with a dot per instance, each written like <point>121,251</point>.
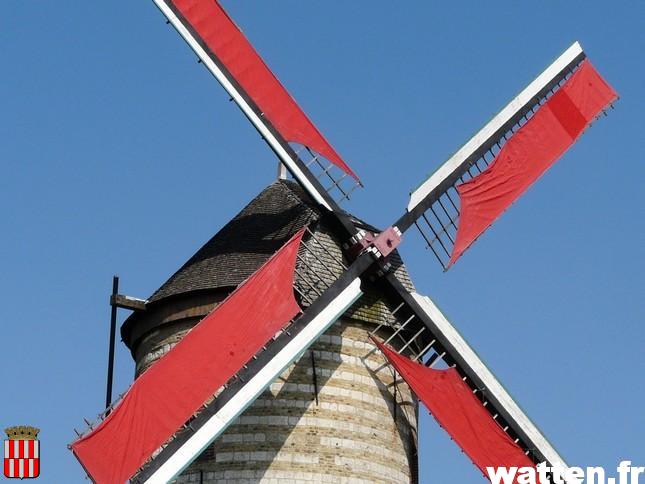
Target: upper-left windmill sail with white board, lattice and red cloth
<point>226,52</point>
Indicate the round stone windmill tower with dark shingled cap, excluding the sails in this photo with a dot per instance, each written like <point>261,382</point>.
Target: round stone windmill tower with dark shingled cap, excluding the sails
<point>337,414</point>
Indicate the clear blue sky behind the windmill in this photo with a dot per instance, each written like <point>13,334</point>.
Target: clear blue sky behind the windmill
<point>120,154</point>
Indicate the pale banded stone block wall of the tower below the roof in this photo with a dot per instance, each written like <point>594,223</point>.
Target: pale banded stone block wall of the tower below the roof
<point>343,428</point>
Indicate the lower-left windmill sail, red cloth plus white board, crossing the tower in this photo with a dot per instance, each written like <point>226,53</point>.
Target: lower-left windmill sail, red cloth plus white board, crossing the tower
<point>174,410</point>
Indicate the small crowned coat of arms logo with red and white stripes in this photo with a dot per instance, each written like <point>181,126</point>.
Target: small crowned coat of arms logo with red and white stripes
<point>22,452</point>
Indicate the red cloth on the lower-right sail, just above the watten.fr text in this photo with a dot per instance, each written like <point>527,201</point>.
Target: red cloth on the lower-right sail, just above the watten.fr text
<point>454,406</point>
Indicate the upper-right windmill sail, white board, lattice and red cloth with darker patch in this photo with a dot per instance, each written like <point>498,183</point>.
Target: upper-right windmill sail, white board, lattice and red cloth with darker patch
<point>463,197</point>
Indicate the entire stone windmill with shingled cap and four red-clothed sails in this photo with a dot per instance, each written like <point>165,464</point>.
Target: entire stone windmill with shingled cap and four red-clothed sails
<point>294,304</point>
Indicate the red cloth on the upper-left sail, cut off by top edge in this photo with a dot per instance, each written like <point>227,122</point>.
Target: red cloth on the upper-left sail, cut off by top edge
<point>217,31</point>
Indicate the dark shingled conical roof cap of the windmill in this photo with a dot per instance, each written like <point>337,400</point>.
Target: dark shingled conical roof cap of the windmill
<point>256,233</point>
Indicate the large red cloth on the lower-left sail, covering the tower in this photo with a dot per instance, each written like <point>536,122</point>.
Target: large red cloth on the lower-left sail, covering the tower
<point>163,398</point>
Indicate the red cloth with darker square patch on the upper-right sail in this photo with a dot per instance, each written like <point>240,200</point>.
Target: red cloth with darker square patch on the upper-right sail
<point>530,152</point>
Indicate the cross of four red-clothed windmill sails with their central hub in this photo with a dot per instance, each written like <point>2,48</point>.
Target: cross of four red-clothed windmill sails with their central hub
<point>166,420</point>
